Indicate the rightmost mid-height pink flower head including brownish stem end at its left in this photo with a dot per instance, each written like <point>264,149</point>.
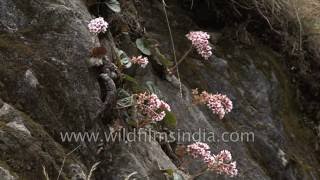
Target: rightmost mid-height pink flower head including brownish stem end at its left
<point>219,104</point>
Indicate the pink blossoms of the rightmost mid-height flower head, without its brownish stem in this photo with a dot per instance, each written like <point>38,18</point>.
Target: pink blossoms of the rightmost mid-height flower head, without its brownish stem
<point>219,104</point>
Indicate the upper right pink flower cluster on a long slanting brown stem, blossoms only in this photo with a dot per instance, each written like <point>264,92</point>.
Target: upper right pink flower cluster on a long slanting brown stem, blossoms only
<point>200,41</point>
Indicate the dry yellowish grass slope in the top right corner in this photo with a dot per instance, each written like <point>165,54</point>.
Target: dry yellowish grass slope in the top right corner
<point>299,19</point>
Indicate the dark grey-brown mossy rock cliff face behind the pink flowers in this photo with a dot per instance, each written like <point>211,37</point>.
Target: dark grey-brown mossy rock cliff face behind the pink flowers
<point>46,87</point>
